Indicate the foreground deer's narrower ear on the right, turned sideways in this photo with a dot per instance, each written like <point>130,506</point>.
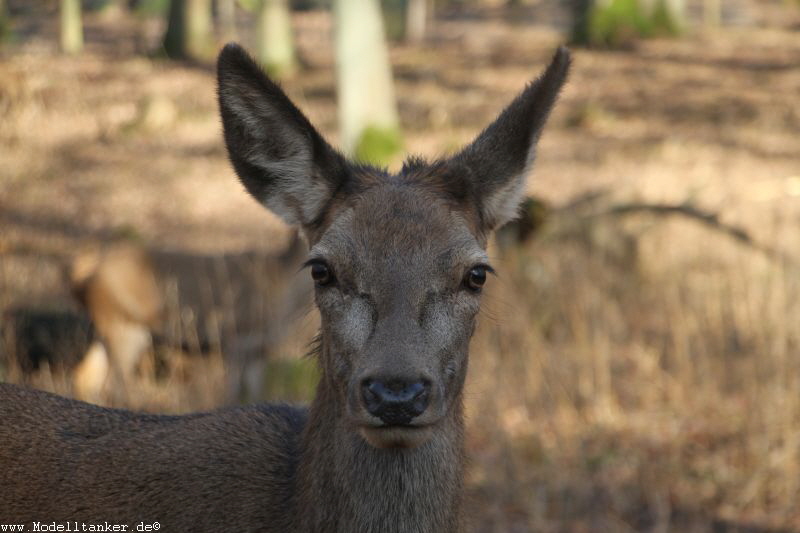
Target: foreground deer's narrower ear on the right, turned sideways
<point>497,162</point>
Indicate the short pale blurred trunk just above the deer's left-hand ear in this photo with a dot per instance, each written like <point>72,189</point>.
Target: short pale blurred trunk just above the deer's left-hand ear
<point>274,41</point>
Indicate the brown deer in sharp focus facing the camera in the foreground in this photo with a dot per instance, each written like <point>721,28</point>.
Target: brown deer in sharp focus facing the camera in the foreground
<point>399,264</point>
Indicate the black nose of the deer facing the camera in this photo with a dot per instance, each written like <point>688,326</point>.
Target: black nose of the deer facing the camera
<point>396,402</point>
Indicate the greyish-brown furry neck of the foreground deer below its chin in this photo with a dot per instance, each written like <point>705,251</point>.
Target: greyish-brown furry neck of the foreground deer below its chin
<point>346,485</point>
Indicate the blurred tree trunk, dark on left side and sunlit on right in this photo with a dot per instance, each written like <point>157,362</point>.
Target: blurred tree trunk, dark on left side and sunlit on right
<point>189,32</point>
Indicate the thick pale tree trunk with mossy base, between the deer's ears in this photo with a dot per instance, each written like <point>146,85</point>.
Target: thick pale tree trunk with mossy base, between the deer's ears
<point>368,120</point>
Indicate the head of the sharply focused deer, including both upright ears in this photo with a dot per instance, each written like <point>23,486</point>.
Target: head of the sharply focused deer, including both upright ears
<point>399,260</point>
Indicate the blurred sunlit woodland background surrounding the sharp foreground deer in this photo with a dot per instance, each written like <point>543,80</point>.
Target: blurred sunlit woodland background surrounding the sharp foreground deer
<point>637,364</point>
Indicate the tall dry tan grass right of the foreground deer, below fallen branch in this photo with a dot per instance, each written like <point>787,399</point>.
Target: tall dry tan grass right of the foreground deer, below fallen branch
<point>639,396</point>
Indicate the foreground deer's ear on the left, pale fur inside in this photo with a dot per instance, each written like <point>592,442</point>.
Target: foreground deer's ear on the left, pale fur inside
<point>279,156</point>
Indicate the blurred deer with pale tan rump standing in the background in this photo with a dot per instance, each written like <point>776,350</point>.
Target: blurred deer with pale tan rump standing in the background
<point>236,304</point>
